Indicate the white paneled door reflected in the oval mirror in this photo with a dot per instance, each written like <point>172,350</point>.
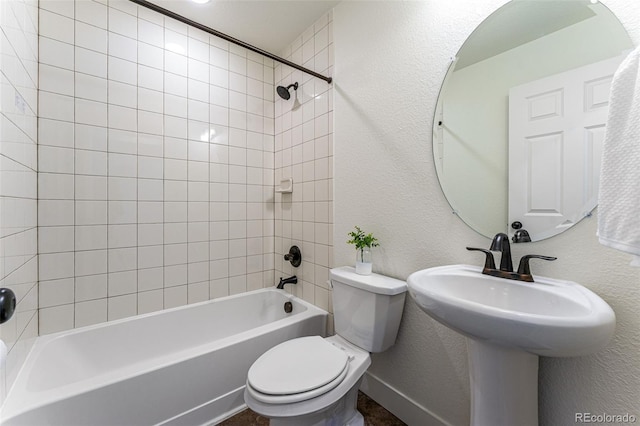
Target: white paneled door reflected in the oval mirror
<point>556,131</point>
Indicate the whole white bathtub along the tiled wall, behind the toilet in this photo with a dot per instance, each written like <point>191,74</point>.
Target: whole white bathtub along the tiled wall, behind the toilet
<point>183,366</point>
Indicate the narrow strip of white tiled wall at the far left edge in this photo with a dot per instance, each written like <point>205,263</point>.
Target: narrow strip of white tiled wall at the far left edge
<point>18,178</point>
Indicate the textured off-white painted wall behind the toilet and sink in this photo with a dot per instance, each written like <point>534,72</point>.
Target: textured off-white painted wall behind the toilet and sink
<point>390,60</point>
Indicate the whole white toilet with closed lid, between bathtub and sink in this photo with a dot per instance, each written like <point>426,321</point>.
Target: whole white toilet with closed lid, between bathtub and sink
<point>312,380</point>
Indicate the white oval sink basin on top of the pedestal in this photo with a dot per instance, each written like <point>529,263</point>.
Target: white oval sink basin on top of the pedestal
<point>547,317</point>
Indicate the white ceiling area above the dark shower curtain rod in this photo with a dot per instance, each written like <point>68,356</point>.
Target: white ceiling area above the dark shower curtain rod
<point>270,25</point>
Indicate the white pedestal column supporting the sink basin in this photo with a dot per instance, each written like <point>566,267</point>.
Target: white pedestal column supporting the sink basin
<point>504,385</point>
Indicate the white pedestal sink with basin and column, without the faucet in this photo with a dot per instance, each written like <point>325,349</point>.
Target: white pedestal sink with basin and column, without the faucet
<point>508,325</point>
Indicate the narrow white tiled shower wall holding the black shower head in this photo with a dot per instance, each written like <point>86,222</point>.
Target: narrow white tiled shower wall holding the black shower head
<point>304,152</point>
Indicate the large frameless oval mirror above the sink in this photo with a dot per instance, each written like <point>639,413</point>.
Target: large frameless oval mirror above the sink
<point>520,119</point>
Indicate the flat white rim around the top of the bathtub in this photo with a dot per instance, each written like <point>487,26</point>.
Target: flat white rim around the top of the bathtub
<point>27,400</point>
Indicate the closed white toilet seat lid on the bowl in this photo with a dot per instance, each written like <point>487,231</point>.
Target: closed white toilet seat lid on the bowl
<point>298,366</point>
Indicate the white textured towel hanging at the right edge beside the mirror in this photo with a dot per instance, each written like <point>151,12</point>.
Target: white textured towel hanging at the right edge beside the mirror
<point>619,194</point>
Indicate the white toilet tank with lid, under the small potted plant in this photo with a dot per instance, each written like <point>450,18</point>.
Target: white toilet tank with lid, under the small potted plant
<point>367,308</point>
